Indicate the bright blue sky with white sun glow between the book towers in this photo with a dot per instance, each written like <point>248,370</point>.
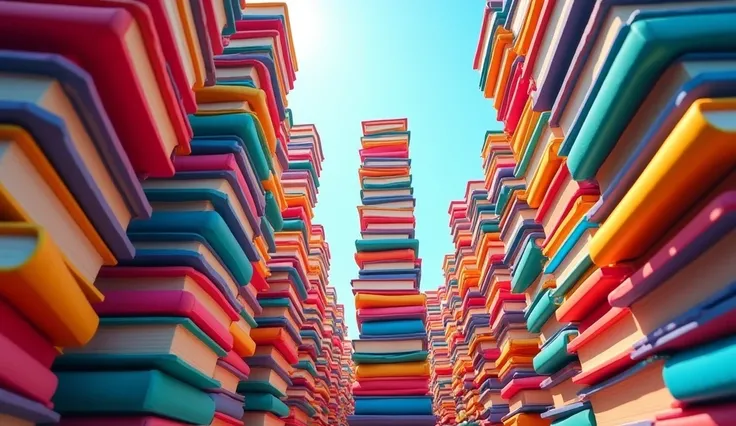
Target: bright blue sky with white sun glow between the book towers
<point>361,60</point>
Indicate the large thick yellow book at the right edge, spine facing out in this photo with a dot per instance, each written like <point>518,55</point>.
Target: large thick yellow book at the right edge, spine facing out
<point>684,169</point>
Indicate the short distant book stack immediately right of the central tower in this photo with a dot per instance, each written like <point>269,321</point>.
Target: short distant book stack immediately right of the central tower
<point>441,379</point>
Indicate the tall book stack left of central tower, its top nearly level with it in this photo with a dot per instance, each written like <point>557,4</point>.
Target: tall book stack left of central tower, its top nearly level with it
<point>280,381</point>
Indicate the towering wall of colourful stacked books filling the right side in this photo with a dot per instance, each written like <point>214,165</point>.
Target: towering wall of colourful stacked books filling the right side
<point>624,159</point>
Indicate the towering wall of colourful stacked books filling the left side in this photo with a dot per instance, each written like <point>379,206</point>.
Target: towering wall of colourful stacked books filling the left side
<point>162,267</point>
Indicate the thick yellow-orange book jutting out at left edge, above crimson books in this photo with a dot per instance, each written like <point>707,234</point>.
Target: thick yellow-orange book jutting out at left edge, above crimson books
<point>35,280</point>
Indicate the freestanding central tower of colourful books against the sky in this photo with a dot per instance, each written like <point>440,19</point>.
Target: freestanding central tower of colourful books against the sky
<point>392,373</point>
